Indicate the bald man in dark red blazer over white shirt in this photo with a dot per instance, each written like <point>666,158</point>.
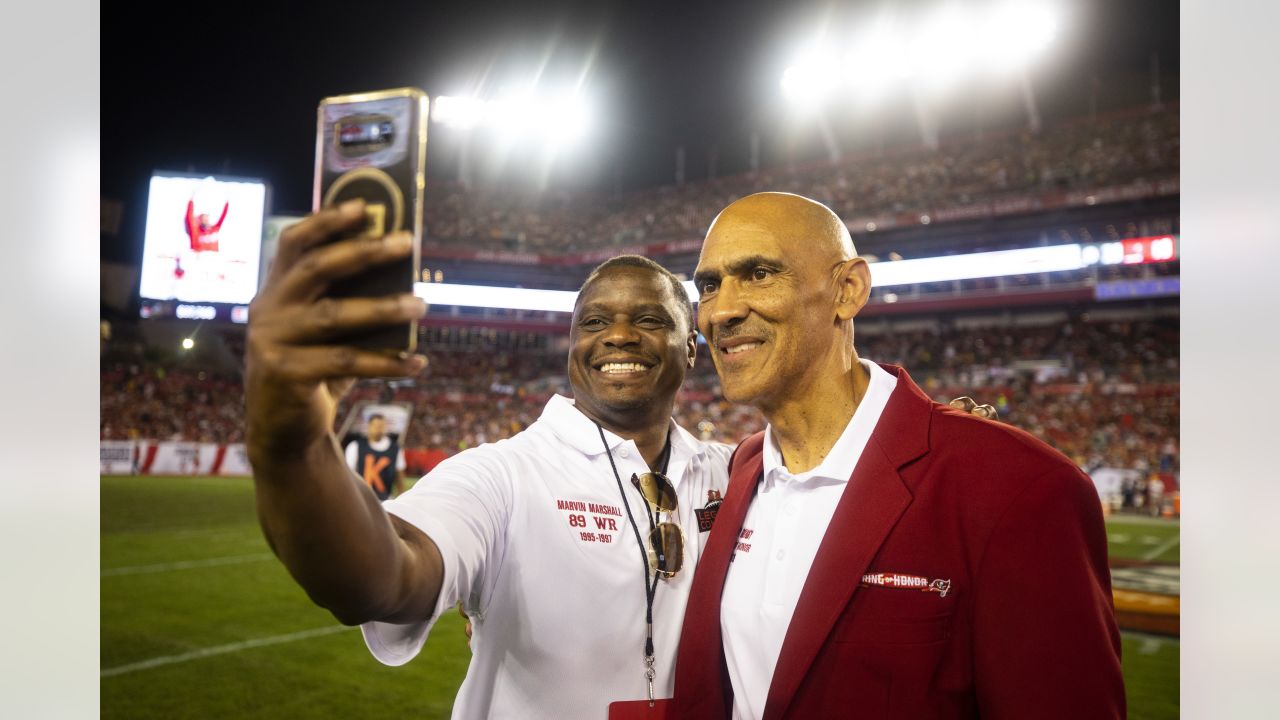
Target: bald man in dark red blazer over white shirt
<point>877,555</point>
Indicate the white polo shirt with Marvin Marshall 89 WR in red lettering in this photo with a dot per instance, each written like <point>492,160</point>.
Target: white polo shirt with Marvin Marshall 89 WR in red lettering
<point>538,549</point>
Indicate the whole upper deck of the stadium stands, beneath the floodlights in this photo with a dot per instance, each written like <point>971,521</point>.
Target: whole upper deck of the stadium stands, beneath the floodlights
<point>1122,158</point>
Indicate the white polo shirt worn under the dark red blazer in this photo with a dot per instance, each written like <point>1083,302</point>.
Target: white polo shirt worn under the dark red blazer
<point>776,548</point>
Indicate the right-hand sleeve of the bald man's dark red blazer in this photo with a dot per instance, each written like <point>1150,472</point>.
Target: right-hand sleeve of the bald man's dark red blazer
<point>1045,635</point>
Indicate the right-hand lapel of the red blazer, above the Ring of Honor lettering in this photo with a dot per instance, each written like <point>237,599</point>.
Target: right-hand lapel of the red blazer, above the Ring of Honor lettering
<point>870,508</point>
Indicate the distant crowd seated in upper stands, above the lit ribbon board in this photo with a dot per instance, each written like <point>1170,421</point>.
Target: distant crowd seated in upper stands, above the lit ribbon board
<point>1080,156</point>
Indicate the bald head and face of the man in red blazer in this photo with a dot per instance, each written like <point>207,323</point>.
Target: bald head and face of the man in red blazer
<point>779,285</point>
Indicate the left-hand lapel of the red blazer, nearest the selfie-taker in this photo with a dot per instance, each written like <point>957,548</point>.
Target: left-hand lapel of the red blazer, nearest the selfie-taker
<point>702,685</point>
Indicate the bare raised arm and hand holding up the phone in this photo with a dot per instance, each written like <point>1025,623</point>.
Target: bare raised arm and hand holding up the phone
<point>330,531</point>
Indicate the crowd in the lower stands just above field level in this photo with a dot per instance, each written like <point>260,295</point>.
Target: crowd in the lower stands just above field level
<point>1104,394</point>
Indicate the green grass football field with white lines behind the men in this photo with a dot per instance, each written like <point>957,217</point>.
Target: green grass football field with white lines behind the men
<point>200,621</point>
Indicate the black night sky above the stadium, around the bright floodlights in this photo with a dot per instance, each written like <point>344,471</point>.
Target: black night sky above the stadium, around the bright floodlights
<point>234,89</point>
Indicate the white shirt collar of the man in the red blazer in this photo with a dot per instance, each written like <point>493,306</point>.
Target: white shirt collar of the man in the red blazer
<point>840,462</point>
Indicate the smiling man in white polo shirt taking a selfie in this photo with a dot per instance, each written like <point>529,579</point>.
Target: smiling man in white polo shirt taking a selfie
<point>556,541</point>
